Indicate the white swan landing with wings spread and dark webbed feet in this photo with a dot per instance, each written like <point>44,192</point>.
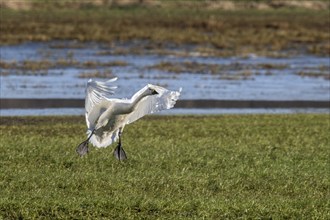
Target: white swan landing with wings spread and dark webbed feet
<point>106,117</point>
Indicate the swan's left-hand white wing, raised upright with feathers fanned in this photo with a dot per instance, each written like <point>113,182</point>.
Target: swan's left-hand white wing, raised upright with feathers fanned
<point>96,91</point>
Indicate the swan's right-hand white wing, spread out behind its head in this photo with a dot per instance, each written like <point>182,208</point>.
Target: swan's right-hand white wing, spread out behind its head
<point>165,99</point>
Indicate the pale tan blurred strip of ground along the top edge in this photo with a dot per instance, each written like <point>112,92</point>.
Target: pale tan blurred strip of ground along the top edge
<point>223,5</point>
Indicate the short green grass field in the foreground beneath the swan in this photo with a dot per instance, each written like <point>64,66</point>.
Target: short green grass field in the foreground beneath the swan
<point>179,167</point>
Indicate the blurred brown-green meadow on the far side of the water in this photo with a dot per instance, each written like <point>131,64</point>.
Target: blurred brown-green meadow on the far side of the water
<point>229,32</point>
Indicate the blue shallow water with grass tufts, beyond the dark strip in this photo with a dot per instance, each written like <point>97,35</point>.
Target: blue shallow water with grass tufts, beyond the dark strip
<point>64,82</point>
